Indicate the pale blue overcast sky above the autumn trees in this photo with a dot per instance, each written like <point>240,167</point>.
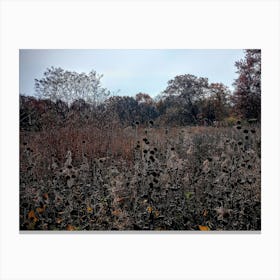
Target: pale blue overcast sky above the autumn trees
<point>129,72</point>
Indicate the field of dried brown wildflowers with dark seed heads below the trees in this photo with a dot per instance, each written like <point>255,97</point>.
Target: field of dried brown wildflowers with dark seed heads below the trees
<point>141,178</point>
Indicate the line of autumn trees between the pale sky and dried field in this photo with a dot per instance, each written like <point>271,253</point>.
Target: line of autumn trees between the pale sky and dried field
<point>78,98</point>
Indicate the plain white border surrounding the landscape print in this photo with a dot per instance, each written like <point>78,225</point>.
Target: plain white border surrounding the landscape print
<point>153,24</point>
